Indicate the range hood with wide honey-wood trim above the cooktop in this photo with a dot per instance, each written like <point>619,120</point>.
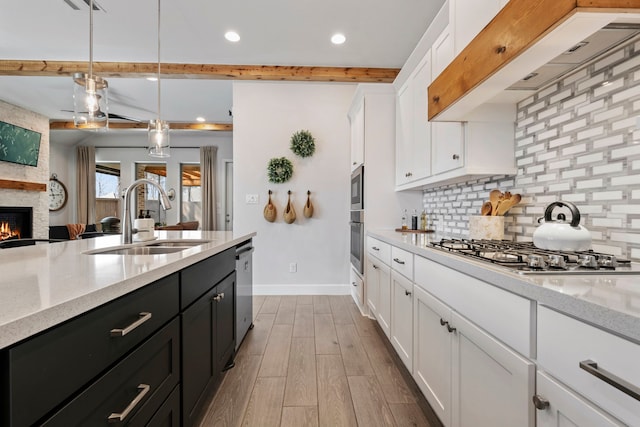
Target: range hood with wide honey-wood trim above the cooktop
<point>523,37</point>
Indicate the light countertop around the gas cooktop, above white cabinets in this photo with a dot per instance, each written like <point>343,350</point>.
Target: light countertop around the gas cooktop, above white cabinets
<point>609,301</point>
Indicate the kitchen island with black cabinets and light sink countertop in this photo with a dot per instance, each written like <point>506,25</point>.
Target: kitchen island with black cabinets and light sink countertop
<point>141,335</point>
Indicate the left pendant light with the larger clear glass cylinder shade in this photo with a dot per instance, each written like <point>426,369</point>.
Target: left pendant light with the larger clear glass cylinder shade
<point>90,103</point>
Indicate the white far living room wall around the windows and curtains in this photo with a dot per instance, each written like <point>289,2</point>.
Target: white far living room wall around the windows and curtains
<point>62,162</point>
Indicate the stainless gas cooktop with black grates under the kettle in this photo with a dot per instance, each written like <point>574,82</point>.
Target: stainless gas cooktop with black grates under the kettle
<point>525,258</point>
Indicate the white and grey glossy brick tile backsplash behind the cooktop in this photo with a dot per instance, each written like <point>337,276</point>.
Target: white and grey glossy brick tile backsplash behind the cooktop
<point>576,141</point>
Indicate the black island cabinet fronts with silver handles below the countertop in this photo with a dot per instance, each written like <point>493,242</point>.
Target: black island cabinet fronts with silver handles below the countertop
<point>152,357</point>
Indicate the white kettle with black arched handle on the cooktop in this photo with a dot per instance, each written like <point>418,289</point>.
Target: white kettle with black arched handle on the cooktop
<point>562,235</point>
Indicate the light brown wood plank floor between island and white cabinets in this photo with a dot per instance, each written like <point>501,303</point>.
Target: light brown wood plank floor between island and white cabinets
<point>315,361</point>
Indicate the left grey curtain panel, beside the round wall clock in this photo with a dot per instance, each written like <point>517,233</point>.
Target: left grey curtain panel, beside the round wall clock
<point>86,185</point>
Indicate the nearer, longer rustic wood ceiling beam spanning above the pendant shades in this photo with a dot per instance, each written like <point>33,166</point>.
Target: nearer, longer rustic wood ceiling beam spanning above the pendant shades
<point>200,71</point>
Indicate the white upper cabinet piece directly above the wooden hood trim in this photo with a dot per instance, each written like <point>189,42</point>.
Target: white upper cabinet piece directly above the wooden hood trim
<point>469,17</point>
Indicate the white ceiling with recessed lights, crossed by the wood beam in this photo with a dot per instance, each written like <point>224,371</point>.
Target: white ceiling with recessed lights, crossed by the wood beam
<point>380,33</point>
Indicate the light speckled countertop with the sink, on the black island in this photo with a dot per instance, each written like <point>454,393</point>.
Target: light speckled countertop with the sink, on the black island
<point>46,284</point>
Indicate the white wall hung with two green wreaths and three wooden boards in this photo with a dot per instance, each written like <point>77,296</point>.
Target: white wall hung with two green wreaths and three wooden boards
<point>265,115</point>
